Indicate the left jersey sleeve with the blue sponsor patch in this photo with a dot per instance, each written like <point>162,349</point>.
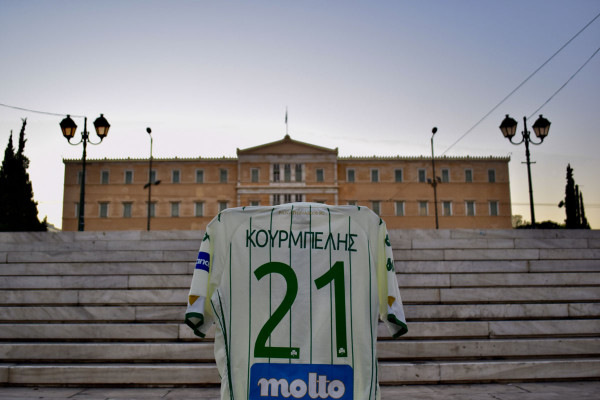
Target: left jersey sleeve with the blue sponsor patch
<point>196,316</point>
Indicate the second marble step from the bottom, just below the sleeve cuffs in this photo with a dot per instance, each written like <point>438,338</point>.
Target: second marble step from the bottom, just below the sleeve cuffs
<point>386,350</point>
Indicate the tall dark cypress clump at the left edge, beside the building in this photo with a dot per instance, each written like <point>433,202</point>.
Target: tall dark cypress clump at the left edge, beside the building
<point>18,210</point>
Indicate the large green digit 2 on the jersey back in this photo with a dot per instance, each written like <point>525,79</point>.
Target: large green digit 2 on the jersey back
<point>260,347</point>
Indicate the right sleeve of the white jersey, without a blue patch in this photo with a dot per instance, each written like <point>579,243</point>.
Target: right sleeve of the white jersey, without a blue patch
<point>390,302</point>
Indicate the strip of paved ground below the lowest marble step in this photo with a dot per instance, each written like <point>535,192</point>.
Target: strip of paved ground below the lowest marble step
<point>587,390</point>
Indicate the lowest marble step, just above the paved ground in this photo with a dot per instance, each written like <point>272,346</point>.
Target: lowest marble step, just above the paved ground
<point>389,372</point>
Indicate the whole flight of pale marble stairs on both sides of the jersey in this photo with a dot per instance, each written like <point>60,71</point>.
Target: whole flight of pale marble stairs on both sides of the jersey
<point>105,308</point>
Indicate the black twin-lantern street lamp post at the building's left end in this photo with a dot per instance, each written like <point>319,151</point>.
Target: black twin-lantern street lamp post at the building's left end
<point>68,128</point>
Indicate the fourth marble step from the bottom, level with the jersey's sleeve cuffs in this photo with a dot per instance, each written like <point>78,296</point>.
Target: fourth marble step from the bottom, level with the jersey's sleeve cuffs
<point>174,313</point>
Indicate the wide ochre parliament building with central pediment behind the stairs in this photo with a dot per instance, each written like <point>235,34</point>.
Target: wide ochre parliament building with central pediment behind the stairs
<point>473,192</point>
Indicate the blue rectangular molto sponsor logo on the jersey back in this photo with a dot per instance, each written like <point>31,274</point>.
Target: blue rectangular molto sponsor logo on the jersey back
<point>301,381</point>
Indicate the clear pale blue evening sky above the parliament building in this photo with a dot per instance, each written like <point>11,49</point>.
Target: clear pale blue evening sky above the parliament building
<point>367,77</point>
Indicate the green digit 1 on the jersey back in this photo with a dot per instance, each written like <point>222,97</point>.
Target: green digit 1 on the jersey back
<point>336,275</point>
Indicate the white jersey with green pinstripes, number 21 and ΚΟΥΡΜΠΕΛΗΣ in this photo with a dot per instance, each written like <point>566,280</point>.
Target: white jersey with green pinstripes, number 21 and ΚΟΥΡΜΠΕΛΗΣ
<point>296,291</point>
